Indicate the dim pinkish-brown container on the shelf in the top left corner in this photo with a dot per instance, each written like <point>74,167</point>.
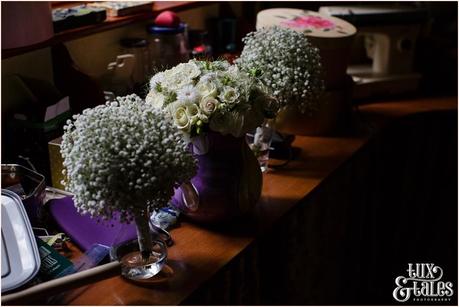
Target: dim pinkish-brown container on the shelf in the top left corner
<point>25,23</point>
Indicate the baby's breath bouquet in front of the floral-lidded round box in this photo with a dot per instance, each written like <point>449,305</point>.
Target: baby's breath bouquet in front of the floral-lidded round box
<point>287,63</point>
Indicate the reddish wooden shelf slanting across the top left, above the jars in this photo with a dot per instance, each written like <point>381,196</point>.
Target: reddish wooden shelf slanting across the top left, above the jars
<point>108,24</point>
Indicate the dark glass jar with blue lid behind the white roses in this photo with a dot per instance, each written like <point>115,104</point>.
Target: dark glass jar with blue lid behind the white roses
<point>168,46</point>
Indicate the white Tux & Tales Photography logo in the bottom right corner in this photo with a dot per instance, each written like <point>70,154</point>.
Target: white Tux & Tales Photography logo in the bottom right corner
<point>423,283</point>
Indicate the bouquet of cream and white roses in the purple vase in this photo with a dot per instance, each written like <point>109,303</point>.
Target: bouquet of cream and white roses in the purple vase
<point>201,95</point>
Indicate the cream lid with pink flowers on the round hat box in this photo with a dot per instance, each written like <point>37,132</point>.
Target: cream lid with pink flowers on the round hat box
<point>320,27</point>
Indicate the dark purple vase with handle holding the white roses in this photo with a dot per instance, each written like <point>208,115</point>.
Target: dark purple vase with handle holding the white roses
<point>227,185</point>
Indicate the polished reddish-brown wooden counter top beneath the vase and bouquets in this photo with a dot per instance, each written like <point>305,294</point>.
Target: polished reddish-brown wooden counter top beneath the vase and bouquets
<point>198,252</point>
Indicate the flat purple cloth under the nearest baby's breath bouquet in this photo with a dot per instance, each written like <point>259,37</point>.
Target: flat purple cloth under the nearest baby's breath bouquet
<point>86,231</point>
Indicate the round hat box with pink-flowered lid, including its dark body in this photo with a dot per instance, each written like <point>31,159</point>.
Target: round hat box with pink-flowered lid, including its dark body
<point>333,37</point>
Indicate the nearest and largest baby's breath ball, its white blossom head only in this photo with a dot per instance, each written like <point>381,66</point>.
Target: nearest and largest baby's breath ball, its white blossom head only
<point>123,157</point>
